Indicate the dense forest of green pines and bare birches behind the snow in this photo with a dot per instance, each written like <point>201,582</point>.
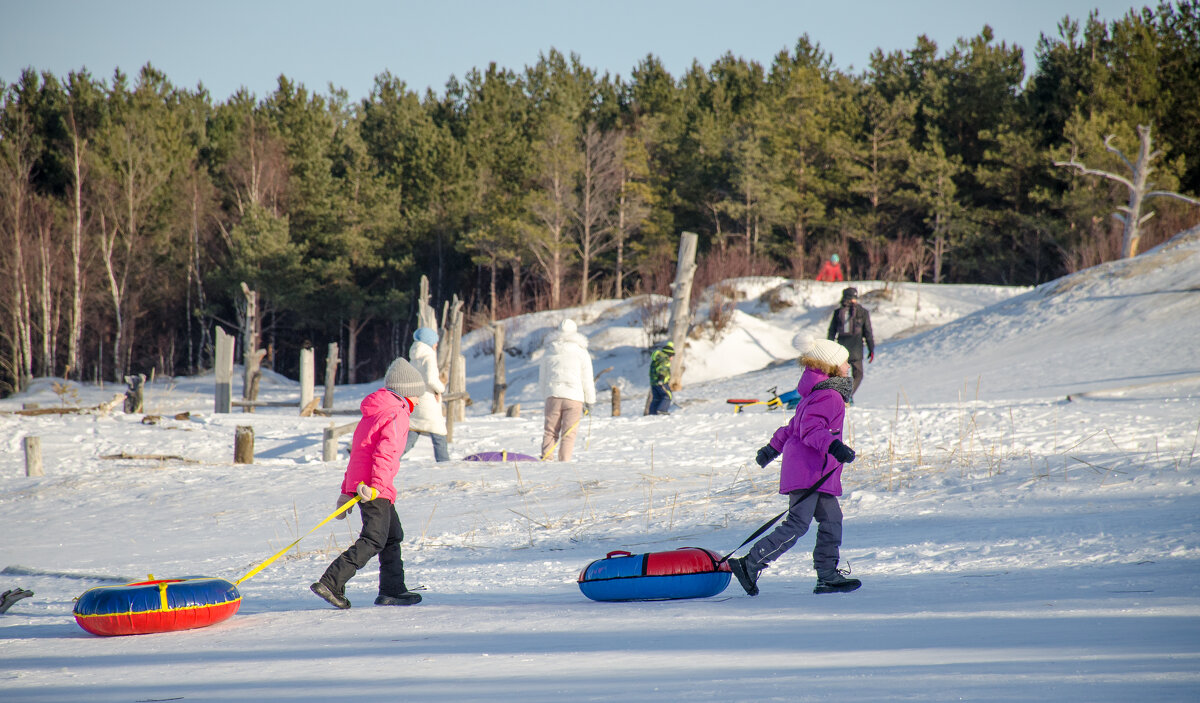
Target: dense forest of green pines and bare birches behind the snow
<point>133,211</point>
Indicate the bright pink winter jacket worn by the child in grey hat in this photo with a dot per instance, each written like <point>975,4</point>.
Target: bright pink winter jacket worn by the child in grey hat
<point>379,444</point>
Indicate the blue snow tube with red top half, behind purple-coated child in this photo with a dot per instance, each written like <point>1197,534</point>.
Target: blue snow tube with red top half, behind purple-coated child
<point>689,573</point>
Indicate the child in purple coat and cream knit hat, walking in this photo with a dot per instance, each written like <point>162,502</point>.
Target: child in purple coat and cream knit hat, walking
<point>813,454</point>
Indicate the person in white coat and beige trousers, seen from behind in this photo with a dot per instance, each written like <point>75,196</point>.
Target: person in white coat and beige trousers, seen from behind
<point>567,383</point>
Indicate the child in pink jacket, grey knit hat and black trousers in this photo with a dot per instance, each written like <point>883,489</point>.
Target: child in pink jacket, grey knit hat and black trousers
<point>375,460</point>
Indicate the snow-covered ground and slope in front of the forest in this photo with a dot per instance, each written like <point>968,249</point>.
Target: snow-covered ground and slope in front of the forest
<point>1015,545</point>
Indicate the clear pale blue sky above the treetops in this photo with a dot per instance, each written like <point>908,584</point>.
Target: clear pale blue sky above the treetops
<point>226,45</point>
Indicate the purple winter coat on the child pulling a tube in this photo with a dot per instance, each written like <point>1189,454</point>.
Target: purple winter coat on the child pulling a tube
<point>805,442</point>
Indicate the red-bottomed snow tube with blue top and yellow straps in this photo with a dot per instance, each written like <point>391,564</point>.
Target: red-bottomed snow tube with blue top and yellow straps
<point>161,605</point>
